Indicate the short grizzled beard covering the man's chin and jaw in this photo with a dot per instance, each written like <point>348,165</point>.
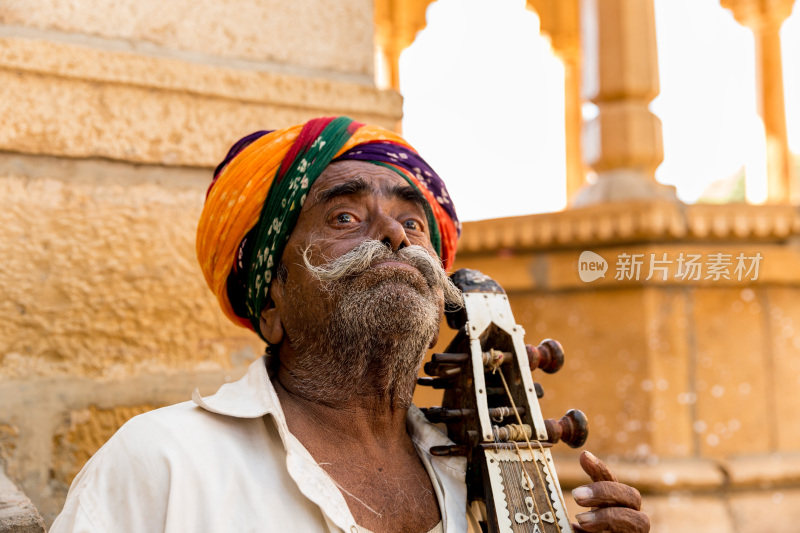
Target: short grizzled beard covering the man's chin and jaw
<point>380,325</point>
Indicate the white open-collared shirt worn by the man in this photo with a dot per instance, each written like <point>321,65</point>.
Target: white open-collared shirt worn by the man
<point>218,464</point>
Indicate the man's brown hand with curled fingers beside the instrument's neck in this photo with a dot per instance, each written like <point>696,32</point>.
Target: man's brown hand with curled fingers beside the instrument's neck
<point>615,506</point>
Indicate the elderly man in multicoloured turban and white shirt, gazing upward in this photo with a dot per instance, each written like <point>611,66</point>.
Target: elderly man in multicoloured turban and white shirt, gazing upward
<point>330,240</point>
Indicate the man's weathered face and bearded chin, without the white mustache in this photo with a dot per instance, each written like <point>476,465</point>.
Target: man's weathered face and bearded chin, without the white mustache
<point>370,329</point>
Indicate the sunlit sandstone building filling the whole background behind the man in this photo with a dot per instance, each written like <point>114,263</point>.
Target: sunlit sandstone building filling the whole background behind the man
<point>112,117</point>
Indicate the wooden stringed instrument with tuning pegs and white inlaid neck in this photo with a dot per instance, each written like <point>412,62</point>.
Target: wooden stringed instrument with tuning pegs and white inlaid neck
<point>491,410</point>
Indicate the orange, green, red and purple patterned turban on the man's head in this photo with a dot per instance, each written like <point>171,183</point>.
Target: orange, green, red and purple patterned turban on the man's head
<point>254,202</point>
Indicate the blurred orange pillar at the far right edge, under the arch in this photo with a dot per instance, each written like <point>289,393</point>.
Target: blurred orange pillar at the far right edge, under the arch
<point>765,18</point>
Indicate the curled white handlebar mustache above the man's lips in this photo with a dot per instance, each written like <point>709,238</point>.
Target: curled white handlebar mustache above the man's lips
<point>371,252</point>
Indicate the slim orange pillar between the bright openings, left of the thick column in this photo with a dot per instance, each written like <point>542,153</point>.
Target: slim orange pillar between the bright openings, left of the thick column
<point>560,21</point>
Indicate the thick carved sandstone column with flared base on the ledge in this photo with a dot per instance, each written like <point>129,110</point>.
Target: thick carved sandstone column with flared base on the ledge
<point>623,144</point>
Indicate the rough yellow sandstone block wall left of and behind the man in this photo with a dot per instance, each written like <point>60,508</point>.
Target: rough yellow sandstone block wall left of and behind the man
<point>112,117</point>
